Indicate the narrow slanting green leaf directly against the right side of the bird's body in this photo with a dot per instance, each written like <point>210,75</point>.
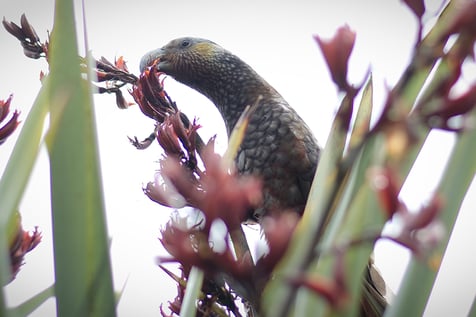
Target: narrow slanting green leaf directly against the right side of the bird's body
<point>278,294</point>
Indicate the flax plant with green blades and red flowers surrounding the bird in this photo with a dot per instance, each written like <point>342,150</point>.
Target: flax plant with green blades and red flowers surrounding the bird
<point>315,264</point>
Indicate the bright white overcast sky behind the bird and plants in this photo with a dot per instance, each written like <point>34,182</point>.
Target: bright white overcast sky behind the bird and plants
<point>275,38</point>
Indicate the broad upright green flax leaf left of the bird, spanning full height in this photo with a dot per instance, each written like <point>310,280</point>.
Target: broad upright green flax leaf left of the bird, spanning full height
<point>82,263</point>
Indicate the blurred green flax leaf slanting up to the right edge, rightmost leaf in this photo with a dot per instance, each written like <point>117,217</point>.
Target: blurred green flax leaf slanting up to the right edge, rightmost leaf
<point>420,276</point>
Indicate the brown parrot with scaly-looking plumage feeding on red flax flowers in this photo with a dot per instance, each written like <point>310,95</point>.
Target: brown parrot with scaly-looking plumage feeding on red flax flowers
<point>278,146</point>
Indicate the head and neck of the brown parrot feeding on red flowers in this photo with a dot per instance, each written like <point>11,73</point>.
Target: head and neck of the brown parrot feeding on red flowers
<point>224,78</point>
